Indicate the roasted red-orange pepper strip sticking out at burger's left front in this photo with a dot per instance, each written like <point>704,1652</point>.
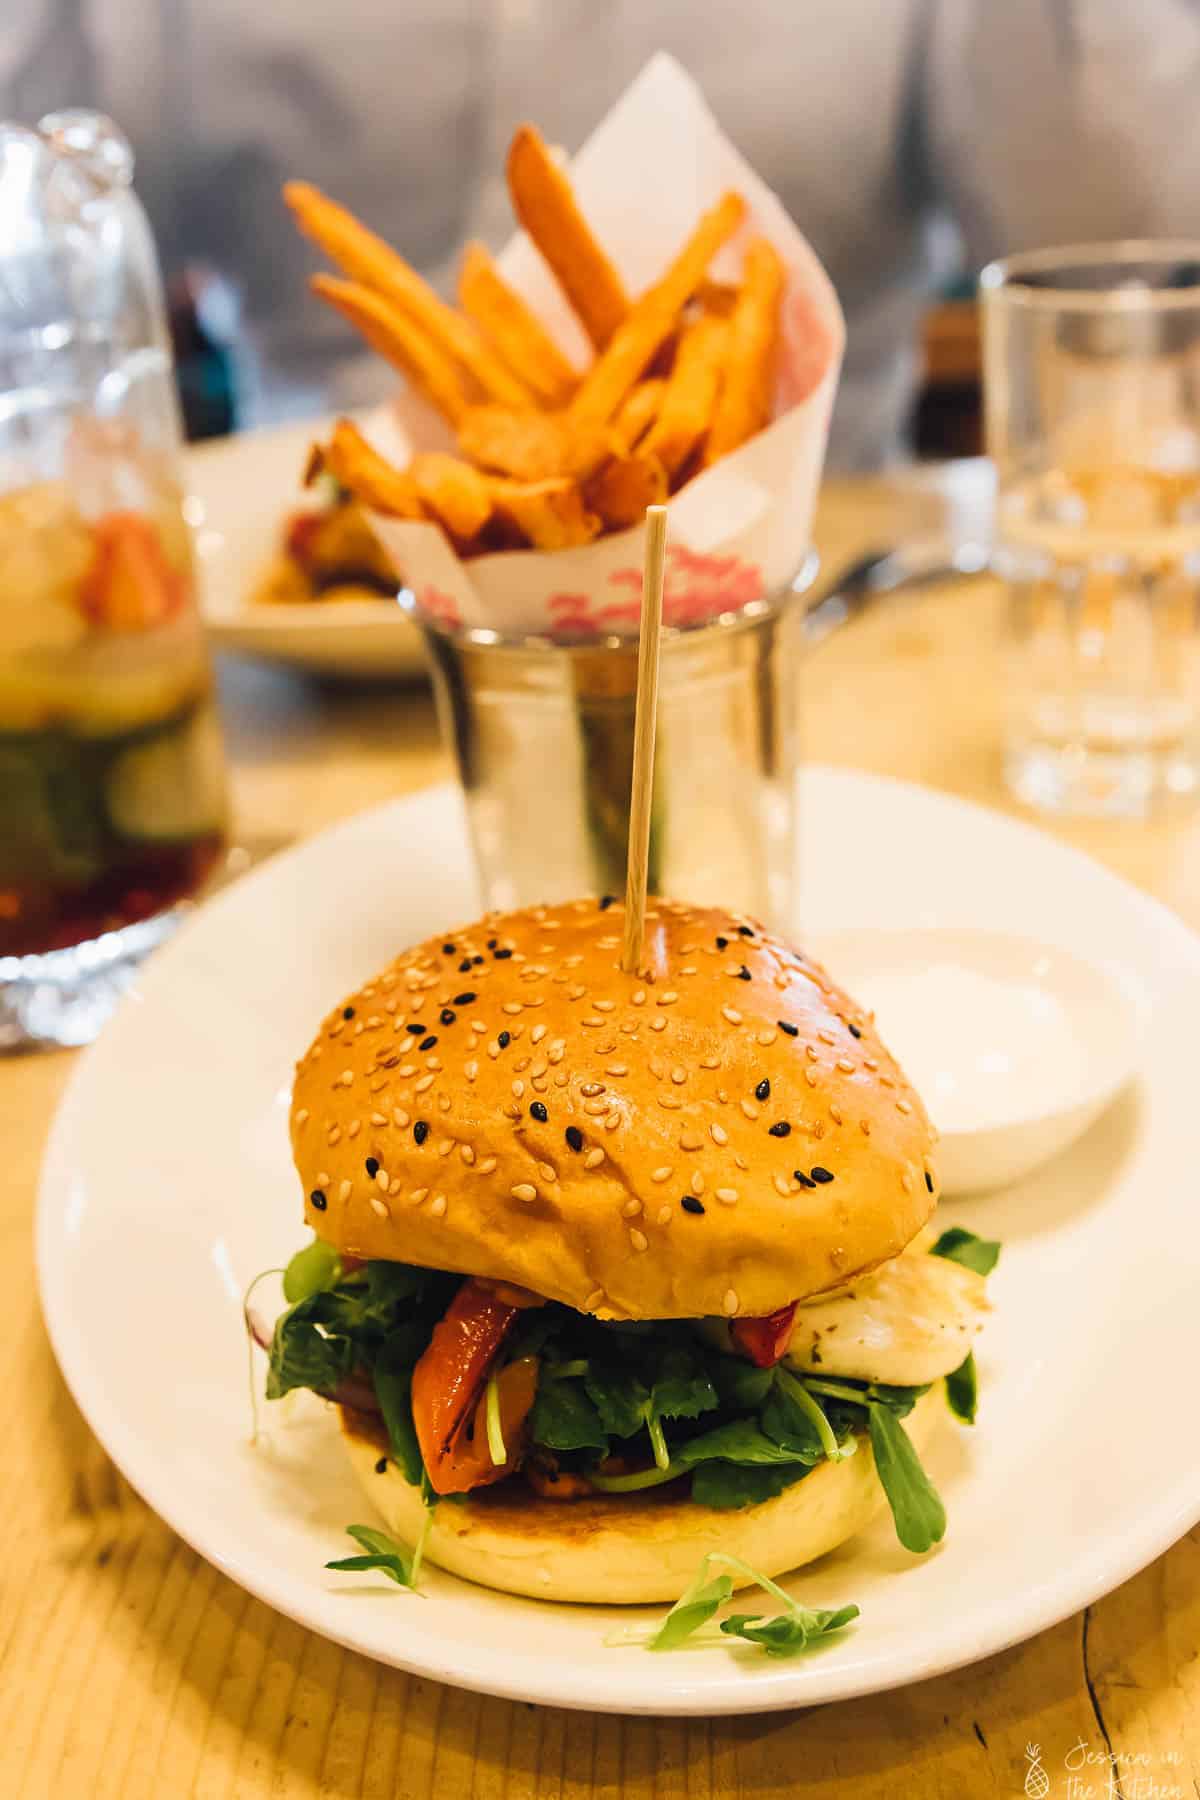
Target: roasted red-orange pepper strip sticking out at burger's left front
<point>451,1376</point>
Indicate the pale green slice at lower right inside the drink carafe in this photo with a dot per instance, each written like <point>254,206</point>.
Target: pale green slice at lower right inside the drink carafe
<point>172,787</point>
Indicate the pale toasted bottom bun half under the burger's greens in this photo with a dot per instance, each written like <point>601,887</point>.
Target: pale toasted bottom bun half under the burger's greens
<point>623,1549</point>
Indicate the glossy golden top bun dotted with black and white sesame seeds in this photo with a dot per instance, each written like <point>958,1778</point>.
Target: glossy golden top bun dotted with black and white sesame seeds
<point>722,1135</point>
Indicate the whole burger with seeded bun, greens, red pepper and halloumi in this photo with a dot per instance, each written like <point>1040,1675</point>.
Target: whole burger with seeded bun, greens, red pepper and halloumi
<point>613,1272</point>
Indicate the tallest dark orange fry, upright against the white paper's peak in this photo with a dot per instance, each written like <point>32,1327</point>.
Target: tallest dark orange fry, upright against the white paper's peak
<point>546,206</point>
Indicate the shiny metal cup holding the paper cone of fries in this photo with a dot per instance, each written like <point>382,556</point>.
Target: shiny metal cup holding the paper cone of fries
<point>544,742</point>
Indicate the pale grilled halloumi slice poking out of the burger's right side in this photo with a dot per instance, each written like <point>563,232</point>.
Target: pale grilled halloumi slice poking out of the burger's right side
<point>906,1324</point>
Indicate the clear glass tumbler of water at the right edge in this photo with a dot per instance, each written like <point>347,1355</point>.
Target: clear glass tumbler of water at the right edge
<point>1093,404</point>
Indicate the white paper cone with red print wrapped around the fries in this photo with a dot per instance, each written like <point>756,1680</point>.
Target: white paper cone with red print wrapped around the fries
<point>739,530</point>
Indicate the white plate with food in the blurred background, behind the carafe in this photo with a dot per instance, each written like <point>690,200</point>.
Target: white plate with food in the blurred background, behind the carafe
<point>240,492</point>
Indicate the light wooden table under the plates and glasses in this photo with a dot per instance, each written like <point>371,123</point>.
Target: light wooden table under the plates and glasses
<point>129,1668</point>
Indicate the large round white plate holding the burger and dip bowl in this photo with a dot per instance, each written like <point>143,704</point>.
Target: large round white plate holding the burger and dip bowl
<point>168,1185</point>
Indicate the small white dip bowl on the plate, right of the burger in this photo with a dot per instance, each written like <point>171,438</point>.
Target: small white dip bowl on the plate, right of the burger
<point>1016,1047</point>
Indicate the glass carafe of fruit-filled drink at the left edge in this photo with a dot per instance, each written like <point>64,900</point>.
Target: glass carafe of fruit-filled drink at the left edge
<point>112,778</point>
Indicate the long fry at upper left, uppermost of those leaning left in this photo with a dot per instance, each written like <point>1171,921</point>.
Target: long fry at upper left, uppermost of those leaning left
<point>373,264</point>
